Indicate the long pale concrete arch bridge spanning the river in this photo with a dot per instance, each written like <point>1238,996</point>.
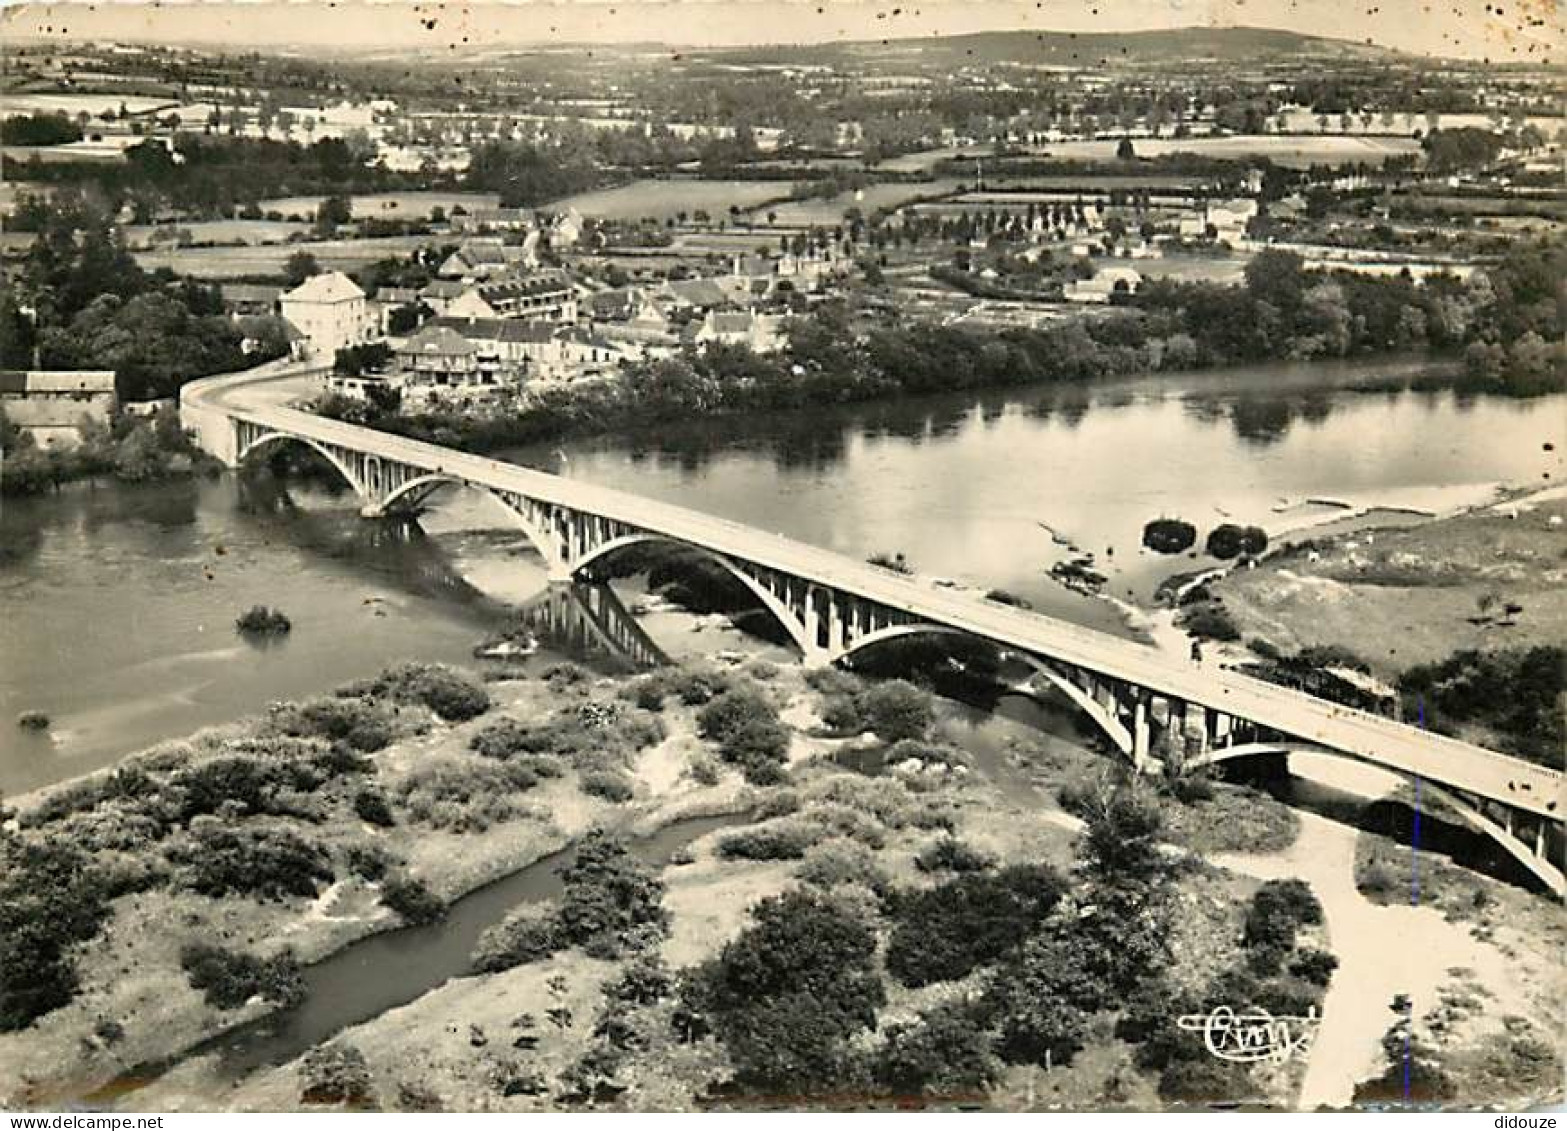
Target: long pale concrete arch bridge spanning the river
<point>1162,714</point>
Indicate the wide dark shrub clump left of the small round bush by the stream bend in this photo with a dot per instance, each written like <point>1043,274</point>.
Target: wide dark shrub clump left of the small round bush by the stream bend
<point>264,862</point>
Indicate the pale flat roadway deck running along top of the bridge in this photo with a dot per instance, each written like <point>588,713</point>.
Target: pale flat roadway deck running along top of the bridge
<point>1356,734</point>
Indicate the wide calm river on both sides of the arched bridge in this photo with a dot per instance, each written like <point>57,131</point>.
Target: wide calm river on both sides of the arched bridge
<point>118,602</point>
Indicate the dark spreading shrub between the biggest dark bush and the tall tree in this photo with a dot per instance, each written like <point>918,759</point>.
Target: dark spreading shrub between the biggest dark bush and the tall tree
<point>969,922</point>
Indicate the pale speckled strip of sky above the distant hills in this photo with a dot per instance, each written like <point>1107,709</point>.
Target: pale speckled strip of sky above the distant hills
<point>1507,31</point>
